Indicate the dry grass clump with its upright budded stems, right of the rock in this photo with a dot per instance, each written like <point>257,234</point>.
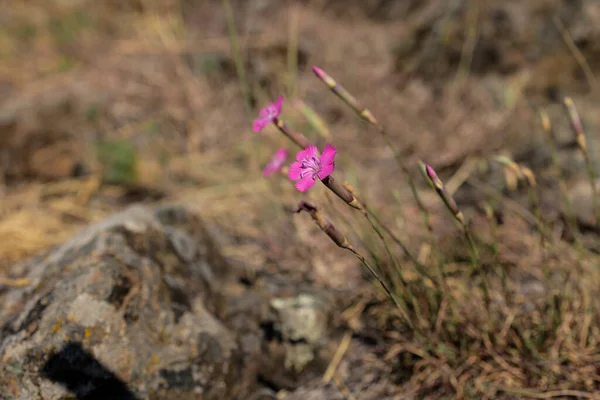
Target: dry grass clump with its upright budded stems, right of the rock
<point>469,330</point>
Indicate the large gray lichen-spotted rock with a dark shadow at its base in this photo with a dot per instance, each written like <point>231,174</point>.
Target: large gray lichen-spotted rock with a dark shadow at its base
<point>126,309</point>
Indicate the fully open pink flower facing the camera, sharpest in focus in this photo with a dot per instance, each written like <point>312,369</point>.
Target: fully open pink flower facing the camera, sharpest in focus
<point>309,166</point>
